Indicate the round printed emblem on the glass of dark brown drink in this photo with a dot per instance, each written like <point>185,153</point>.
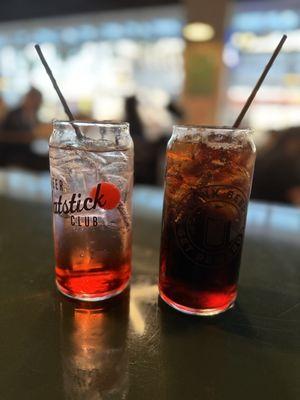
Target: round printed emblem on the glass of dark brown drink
<point>211,232</point>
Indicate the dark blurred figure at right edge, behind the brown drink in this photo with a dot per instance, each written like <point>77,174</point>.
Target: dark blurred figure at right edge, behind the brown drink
<point>277,170</point>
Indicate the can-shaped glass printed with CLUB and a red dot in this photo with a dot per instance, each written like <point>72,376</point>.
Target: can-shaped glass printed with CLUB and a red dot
<point>92,179</point>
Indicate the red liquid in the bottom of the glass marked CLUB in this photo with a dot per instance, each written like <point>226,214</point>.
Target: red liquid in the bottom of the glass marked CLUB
<point>84,270</point>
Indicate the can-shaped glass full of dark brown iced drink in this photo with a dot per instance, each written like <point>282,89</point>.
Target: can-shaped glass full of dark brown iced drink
<point>207,187</point>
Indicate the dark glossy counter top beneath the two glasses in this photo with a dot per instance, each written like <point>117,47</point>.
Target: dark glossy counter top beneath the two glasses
<point>135,346</point>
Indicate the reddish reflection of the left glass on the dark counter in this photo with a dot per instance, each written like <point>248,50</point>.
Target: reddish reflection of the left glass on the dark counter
<point>93,348</point>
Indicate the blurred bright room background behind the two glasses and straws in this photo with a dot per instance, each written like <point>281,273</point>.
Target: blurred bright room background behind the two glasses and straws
<point>153,63</point>
